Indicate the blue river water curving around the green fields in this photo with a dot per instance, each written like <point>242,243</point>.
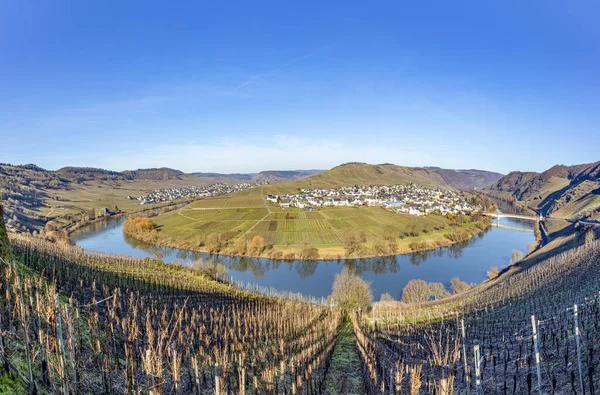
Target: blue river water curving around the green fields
<point>468,260</point>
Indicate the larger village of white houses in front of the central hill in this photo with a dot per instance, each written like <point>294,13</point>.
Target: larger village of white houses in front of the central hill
<point>409,199</point>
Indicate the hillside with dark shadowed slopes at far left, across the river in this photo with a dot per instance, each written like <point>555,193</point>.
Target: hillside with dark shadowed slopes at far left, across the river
<point>35,196</point>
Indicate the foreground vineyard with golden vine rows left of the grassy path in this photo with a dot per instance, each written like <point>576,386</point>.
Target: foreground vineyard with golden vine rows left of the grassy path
<point>109,324</point>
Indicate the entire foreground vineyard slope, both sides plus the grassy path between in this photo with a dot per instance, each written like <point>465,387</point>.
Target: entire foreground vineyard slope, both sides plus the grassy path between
<point>75,322</point>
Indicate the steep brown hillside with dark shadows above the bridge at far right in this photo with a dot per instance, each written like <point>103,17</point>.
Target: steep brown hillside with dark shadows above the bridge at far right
<point>561,191</point>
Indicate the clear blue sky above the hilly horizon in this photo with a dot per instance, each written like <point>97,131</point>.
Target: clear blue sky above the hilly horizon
<point>249,86</point>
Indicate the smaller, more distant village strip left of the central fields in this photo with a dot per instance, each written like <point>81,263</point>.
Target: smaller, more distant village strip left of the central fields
<point>171,194</point>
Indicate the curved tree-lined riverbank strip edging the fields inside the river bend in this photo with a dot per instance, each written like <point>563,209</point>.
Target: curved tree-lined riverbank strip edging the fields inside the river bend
<point>257,248</point>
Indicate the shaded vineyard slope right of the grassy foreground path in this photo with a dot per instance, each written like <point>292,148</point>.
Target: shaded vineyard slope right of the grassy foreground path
<point>534,331</point>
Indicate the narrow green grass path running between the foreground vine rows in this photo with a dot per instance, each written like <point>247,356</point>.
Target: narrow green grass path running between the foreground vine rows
<point>344,374</point>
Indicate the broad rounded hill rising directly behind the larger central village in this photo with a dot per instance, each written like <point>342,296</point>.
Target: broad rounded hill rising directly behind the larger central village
<point>389,174</point>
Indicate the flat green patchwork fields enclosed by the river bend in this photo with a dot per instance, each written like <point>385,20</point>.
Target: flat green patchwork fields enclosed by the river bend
<point>246,215</point>
